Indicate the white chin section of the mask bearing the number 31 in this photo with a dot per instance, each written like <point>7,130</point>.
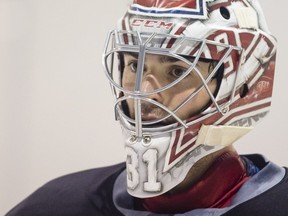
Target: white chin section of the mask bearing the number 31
<point>148,173</point>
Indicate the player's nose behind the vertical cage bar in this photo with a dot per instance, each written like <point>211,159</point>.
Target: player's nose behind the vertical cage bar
<point>149,84</point>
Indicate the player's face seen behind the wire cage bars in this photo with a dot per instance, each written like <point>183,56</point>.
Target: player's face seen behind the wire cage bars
<point>159,71</point>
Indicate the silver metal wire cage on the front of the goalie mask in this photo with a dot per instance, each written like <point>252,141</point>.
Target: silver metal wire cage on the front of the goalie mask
<point>137,96</point>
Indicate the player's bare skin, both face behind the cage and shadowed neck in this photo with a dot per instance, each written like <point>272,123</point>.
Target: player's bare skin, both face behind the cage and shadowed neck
<point>158,72</point>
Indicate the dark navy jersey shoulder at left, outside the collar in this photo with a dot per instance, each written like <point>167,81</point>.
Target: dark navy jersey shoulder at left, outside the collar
<point>87,192</point>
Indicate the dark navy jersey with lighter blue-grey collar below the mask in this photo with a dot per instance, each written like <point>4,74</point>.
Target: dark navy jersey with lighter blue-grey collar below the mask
<point>102,192</point>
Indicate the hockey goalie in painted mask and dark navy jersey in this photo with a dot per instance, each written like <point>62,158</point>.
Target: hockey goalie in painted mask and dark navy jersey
<point>189,78</point>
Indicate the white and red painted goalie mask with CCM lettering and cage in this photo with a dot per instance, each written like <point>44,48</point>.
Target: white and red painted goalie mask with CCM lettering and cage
<point>189,78</point>
